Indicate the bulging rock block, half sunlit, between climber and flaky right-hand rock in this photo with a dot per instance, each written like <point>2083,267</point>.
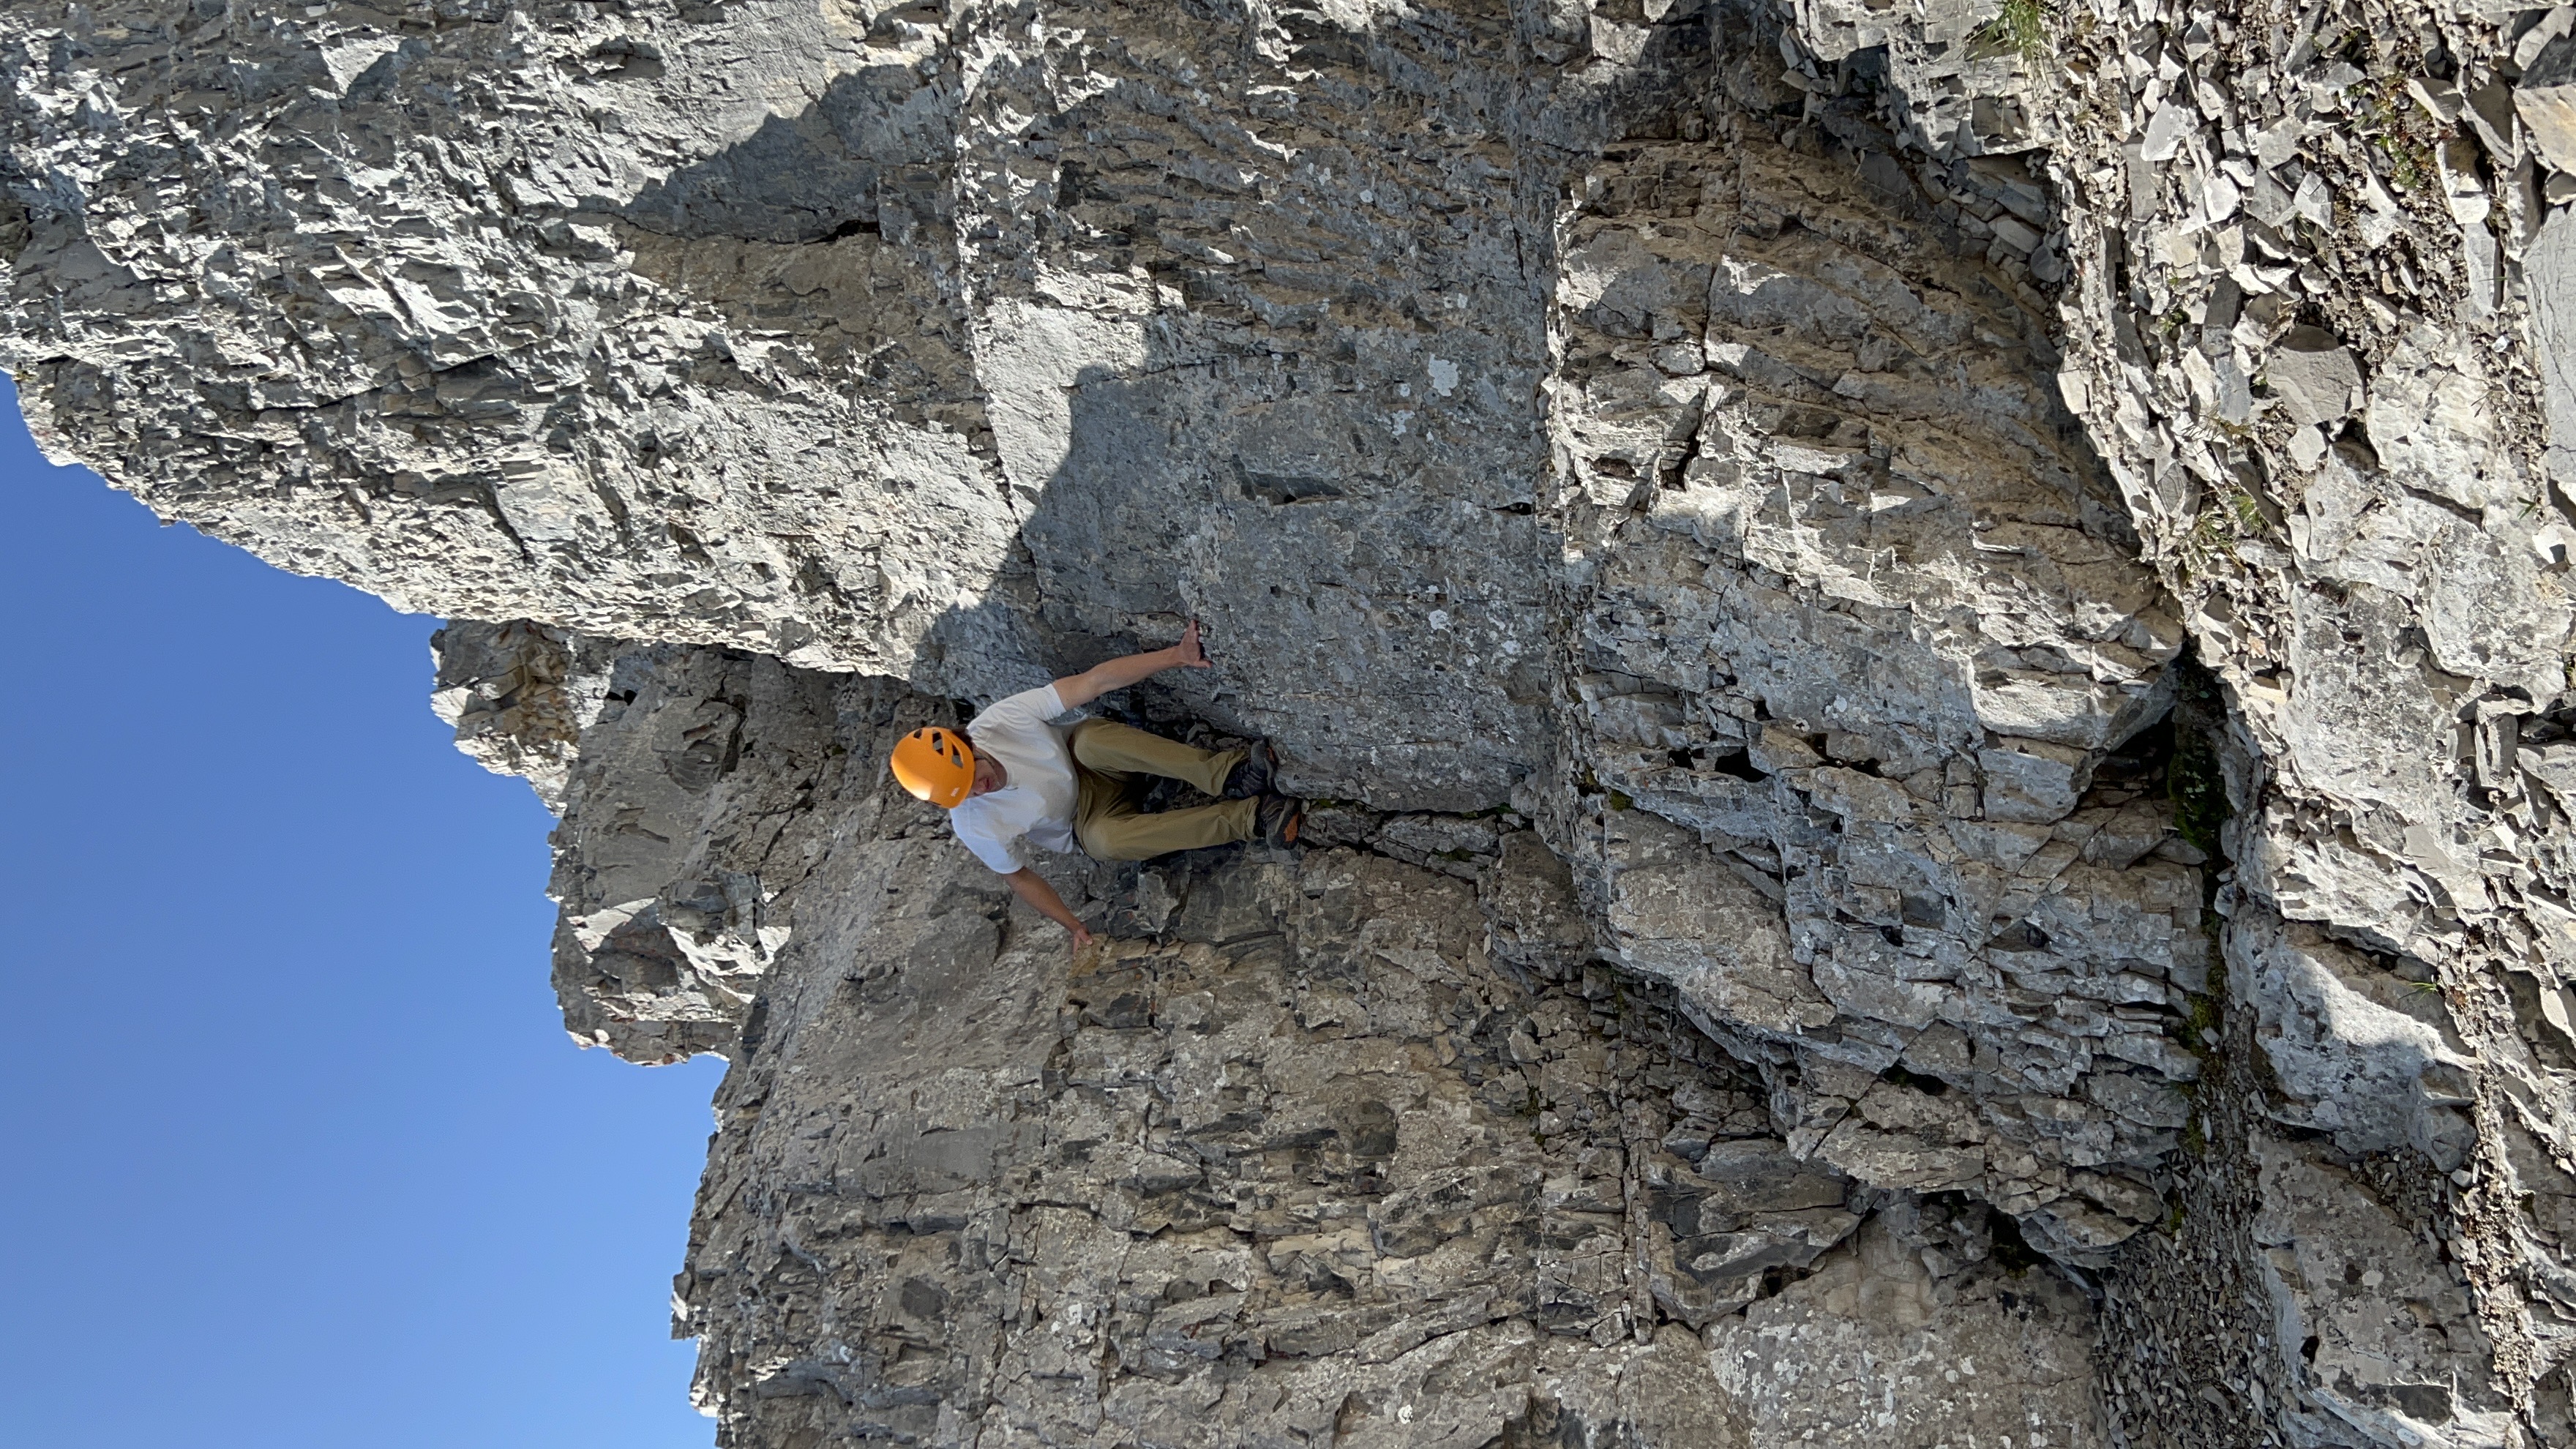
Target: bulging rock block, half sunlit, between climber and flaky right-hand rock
<point>1861,646</point>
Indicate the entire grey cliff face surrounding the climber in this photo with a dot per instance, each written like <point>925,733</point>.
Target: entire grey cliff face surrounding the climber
<point>1931,641</point>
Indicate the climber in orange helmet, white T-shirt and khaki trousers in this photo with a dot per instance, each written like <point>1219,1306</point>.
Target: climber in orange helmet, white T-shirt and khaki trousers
<point>1011,780</point>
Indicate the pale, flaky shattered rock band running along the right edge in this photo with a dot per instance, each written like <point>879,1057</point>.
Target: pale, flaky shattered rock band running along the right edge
<point>2315,316</point>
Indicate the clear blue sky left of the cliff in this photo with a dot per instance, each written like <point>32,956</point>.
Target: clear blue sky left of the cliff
<point>295,1146</point>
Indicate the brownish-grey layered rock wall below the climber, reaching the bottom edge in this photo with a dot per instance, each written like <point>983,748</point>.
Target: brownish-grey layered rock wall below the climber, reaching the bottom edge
<point>1354,1143</point>
